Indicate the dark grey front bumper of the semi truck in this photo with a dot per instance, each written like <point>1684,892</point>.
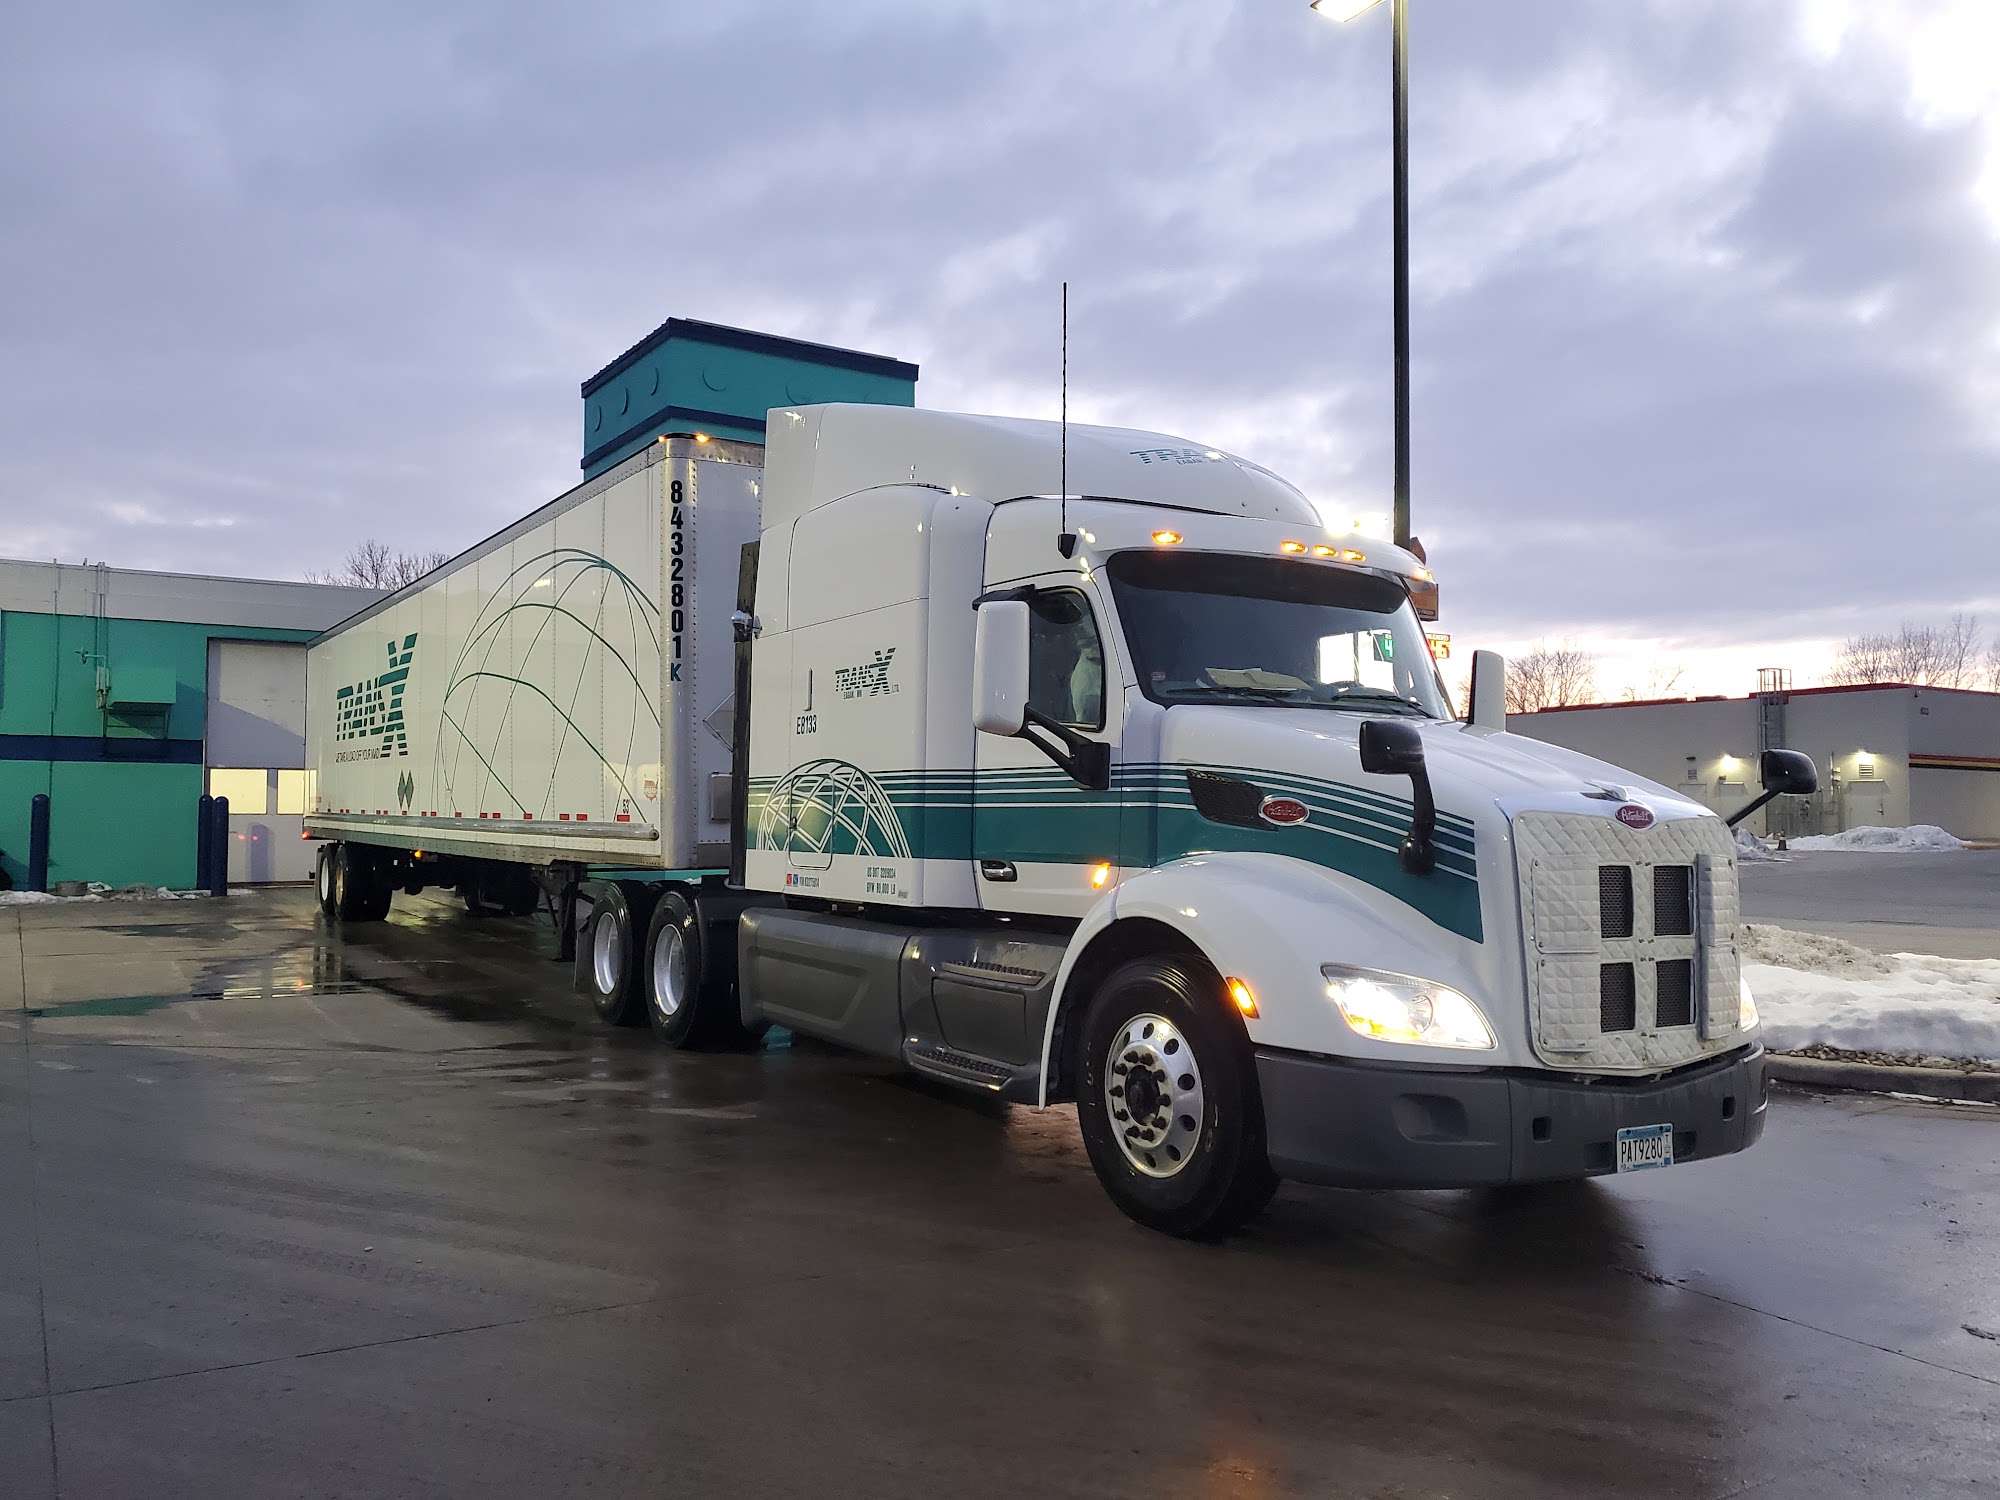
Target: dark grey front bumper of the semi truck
<point>1371,1125</point>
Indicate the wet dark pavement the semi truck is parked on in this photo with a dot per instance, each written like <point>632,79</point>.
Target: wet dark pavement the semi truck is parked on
<point>295,1217</point>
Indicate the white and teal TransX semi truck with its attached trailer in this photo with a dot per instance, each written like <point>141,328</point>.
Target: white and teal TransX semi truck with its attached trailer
<point>1141,795</point>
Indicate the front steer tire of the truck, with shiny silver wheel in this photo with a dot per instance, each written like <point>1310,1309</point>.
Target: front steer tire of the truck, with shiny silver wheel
<point>1169,1101</point>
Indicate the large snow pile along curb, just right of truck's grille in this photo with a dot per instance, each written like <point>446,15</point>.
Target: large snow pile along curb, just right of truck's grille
<point>1823,993</point>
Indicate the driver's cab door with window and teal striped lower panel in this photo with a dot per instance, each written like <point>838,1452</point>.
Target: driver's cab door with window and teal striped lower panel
<point>1037,835</point>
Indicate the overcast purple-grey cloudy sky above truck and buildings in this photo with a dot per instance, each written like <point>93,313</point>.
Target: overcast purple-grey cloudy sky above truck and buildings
<point>1707,293</point>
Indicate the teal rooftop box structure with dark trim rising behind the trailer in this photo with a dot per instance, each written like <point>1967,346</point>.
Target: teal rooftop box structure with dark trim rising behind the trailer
<point>699,377</point>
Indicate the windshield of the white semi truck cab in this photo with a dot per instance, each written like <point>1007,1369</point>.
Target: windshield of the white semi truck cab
<point>1209,627</point>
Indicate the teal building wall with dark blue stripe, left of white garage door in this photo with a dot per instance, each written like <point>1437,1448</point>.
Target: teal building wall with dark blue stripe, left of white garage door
<point>123,781</point>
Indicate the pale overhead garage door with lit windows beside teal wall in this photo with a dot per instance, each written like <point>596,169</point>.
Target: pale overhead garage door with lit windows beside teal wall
<point>257,757</point>
